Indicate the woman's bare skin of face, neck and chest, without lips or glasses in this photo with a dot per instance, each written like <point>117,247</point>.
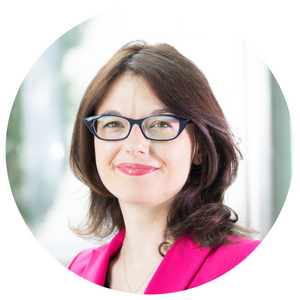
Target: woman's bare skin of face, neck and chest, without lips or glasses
<point>144,200</point>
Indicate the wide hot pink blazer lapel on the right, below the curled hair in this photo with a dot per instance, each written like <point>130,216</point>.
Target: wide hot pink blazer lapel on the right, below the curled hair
<point>178,267</point>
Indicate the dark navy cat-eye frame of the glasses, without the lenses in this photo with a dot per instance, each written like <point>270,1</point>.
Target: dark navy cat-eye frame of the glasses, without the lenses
<point>90,124</point>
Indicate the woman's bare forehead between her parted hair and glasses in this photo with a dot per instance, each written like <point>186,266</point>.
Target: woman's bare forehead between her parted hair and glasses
<point>129,94</point>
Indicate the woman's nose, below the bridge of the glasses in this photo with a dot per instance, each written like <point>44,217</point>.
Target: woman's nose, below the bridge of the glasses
<point>136,143</point>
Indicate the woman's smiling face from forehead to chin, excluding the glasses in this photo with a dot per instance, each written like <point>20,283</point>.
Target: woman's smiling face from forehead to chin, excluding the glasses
<point>171,160</point>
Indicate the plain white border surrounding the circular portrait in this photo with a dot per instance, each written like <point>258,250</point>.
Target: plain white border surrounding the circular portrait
<point>272,28</point>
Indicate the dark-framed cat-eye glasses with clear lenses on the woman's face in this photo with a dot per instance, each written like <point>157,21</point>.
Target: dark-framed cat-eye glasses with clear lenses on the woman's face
<point>155,128</point>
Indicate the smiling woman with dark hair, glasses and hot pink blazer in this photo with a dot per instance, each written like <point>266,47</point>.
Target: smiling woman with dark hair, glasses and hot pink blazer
<point>157,155</point>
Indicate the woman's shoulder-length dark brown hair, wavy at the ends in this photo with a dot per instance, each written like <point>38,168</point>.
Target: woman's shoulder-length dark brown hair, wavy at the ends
<point>198,210</point>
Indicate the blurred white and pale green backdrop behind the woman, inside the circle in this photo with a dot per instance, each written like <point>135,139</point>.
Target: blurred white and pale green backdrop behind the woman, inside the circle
<point>43,114</point>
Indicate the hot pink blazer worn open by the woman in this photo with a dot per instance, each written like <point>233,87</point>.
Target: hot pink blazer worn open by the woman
<point>184,266</point>
